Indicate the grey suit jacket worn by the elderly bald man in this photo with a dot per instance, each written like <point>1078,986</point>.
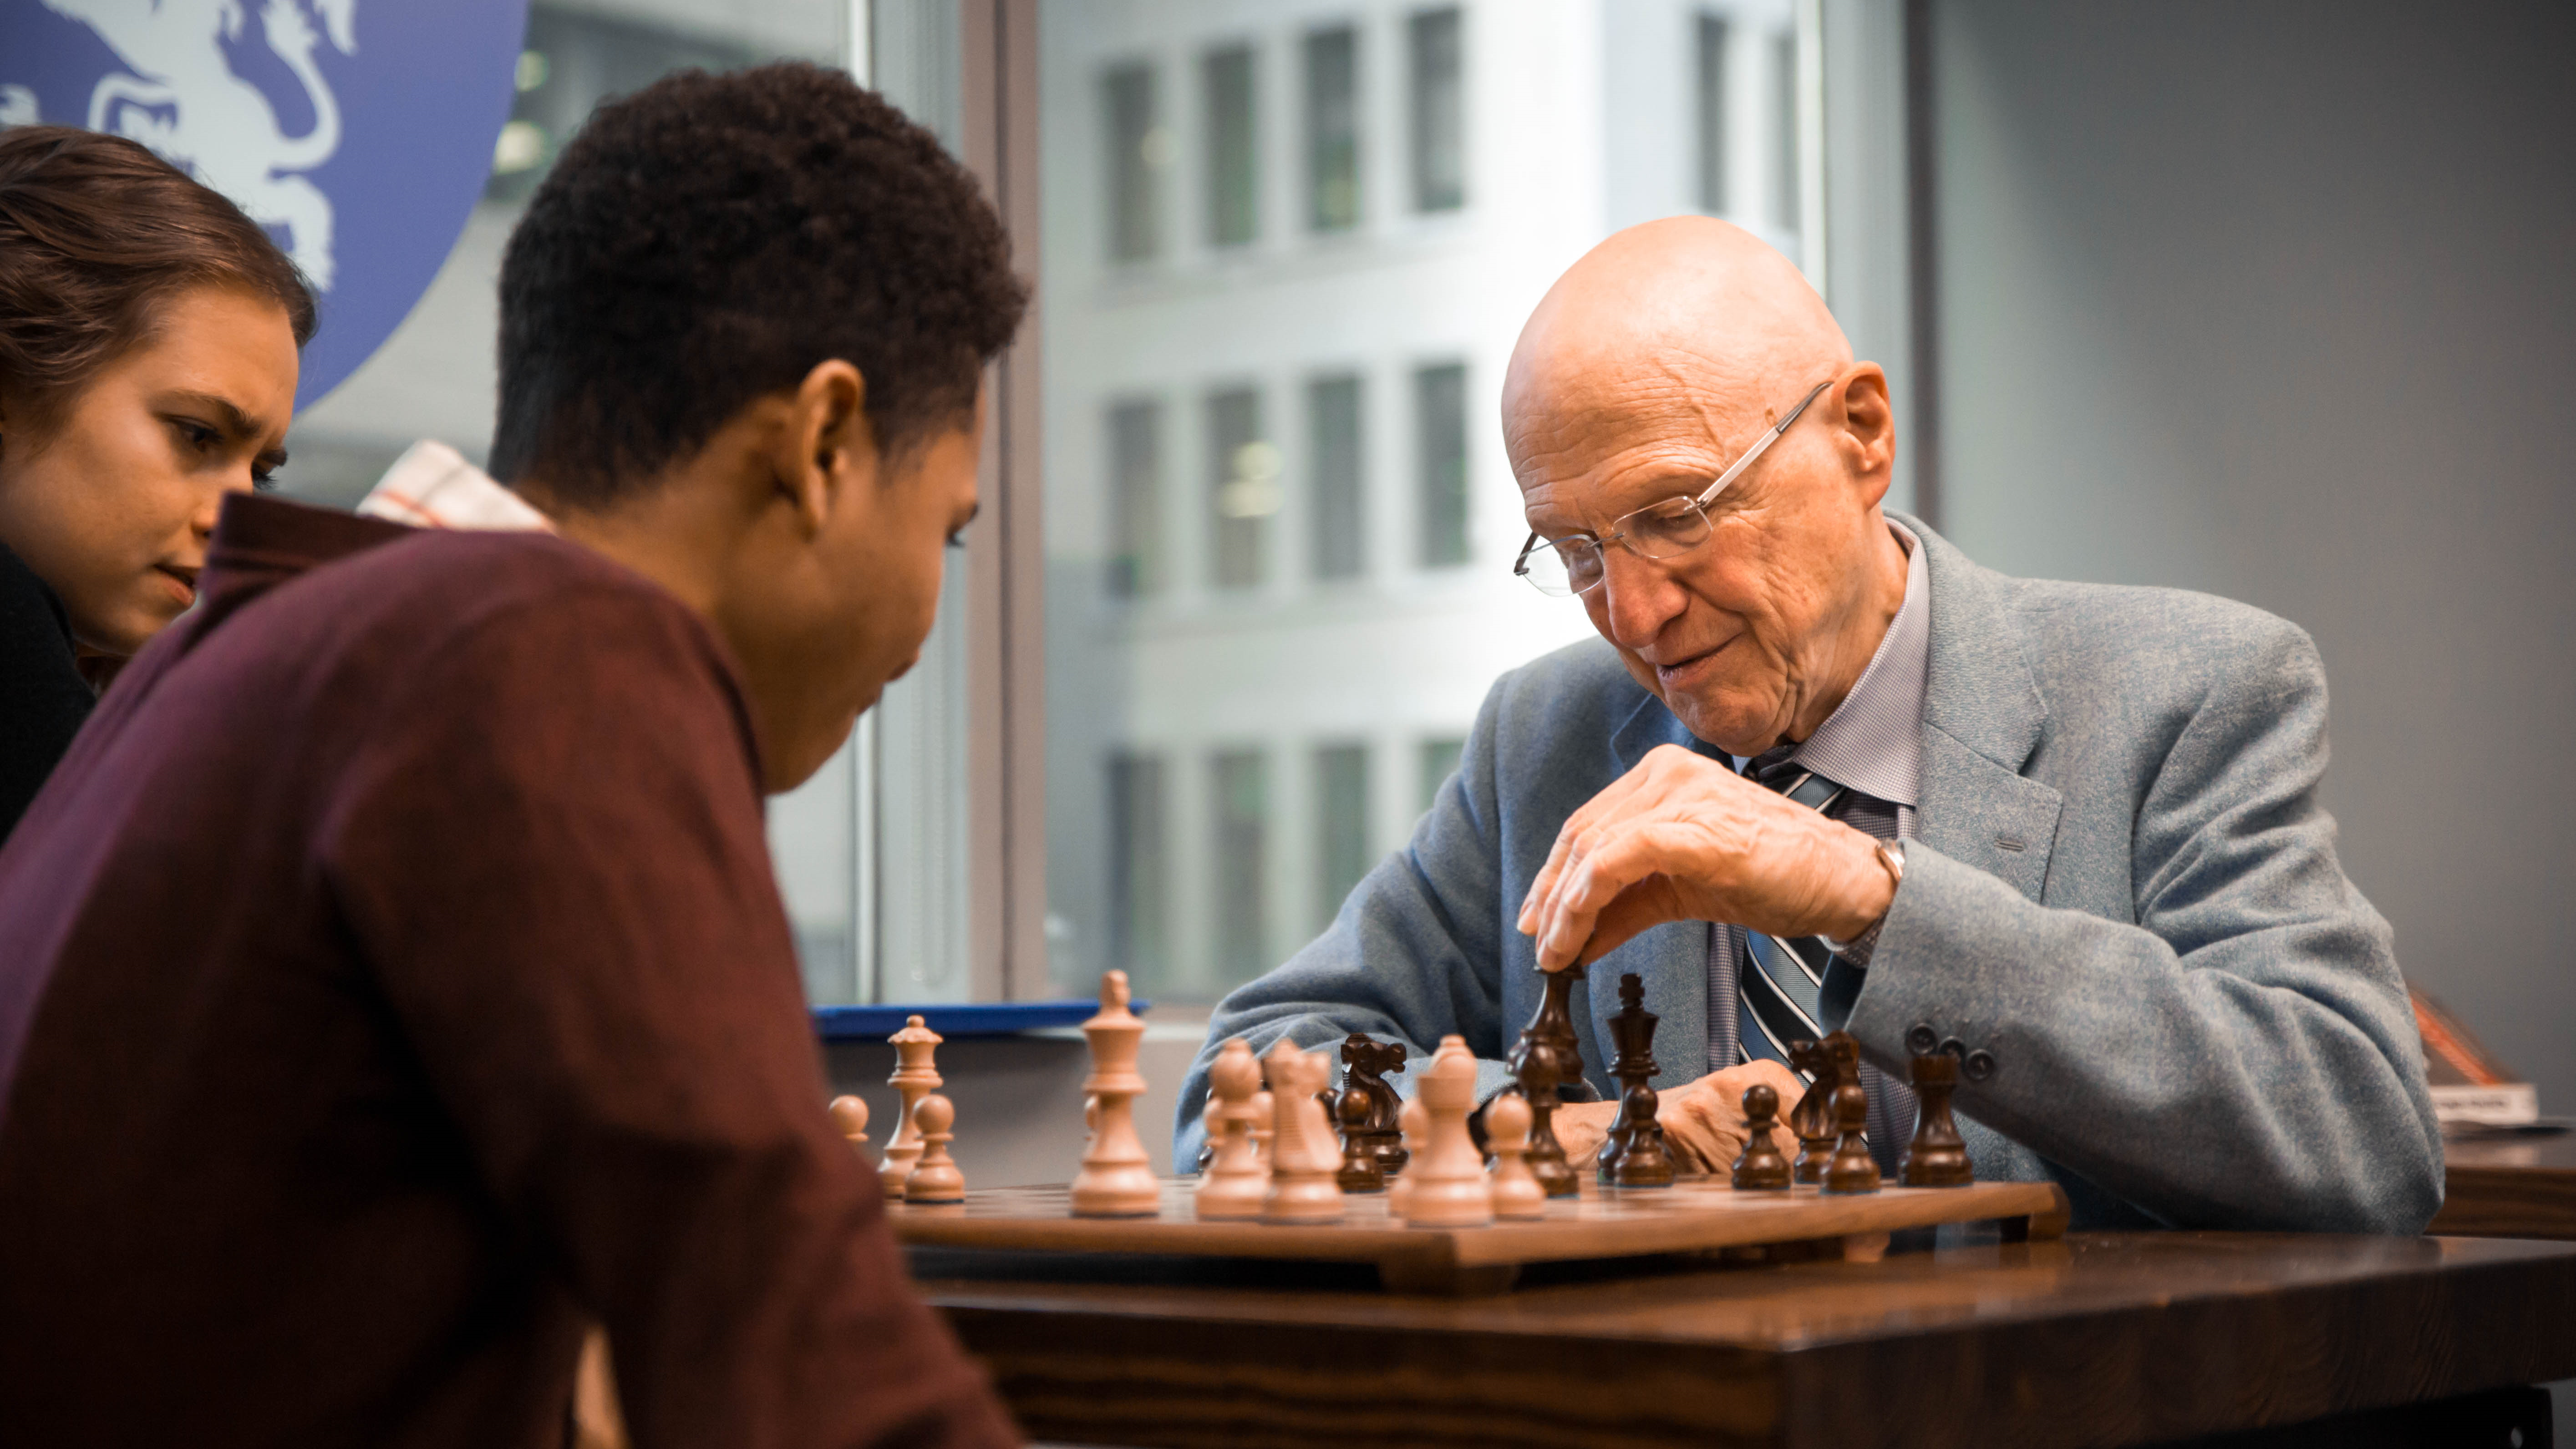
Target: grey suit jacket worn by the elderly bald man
<point>2124,888</point>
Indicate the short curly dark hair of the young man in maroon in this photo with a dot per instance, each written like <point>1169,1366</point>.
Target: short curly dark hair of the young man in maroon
<point>710,241</point>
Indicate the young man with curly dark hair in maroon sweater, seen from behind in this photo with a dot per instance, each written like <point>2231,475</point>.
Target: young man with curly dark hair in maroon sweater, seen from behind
<point>393,976</point>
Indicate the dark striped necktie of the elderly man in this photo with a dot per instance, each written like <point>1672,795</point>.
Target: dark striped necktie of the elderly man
<point>1784,984</point>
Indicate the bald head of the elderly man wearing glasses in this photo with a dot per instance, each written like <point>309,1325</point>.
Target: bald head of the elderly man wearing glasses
<point>1642,378</point>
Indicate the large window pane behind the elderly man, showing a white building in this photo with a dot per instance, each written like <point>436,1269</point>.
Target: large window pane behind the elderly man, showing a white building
<point>1279,512</point>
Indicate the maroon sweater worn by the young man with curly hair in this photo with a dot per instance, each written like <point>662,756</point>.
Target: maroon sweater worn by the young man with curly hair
<point>390,976</point>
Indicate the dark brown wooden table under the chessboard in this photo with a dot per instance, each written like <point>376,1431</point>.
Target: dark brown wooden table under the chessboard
<point>2093,1339</point>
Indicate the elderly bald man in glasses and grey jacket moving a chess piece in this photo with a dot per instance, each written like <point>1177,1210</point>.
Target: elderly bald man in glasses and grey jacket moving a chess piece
<point>1825,772</point>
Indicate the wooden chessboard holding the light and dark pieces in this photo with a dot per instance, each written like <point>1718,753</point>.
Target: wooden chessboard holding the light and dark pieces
<point>1598,1223</point>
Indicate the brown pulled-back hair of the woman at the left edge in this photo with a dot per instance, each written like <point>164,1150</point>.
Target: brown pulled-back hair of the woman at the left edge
<point>94,236</point>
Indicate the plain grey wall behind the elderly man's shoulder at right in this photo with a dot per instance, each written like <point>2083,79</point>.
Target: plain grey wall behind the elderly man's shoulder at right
<point>2276,303</point>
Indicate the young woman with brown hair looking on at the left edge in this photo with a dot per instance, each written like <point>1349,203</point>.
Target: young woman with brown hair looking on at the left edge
<point>148,365</point>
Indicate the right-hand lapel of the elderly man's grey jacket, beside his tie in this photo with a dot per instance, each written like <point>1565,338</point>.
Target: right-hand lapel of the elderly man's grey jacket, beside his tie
<point>1982,721</point>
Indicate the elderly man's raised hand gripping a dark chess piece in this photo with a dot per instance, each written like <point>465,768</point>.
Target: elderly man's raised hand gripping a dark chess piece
<point>1686,839</point>
